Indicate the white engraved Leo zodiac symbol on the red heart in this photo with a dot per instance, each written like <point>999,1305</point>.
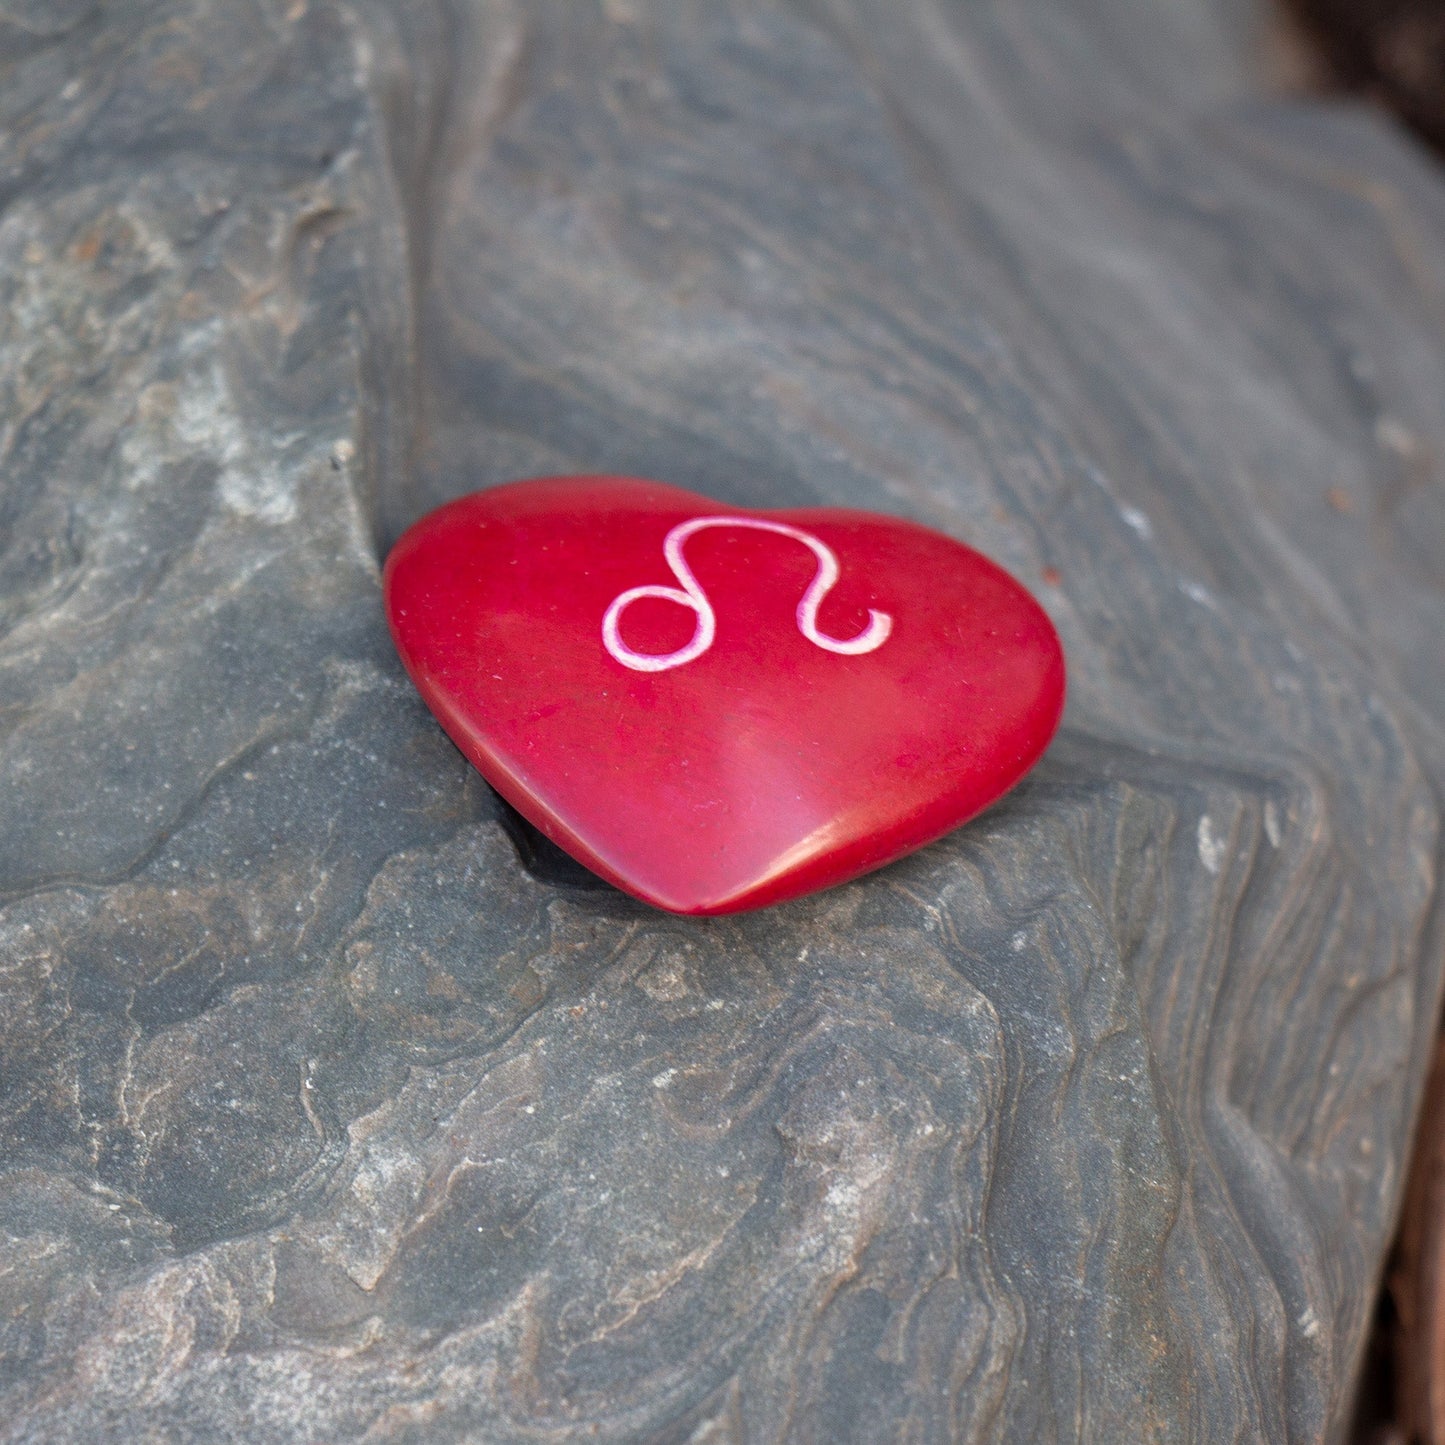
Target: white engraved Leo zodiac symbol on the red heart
<point>690,595</point>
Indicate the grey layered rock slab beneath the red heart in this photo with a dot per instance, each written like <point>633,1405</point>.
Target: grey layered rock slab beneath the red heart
<point>326,1112</point>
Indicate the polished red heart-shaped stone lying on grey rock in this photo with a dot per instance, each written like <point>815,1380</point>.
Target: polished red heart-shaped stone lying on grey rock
<point>716,709</point>
